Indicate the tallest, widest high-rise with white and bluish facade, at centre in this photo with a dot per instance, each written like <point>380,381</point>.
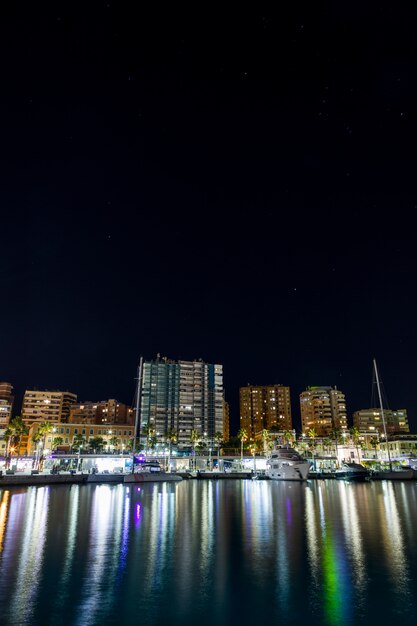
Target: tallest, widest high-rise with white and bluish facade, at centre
<point>182,396</point>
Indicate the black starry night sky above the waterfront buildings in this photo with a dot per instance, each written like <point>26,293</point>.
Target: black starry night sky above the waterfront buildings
<point>238,186</point>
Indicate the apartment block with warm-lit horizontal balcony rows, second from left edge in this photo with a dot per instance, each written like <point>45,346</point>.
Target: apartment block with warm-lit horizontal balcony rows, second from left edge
<point>53,406</point>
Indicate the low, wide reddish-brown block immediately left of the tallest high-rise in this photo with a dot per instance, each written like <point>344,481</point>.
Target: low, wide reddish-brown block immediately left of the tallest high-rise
<point>104,412</point>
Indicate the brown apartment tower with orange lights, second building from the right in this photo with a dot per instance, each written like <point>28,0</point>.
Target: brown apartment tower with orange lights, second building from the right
<point>323,409</point>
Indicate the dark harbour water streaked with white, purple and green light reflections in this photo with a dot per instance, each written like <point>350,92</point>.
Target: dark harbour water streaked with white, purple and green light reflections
<point>202,552</point>
